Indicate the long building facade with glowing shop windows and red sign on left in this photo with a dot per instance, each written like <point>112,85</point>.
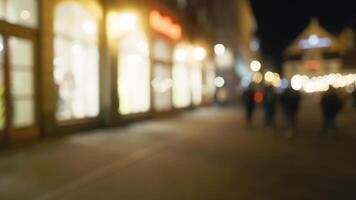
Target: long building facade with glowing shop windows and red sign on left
<point>75,65</point>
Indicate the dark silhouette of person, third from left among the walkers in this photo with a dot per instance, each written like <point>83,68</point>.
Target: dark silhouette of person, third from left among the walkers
<point>290,101</point>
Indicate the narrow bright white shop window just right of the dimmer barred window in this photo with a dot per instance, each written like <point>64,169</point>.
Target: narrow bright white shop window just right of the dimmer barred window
<point>181,78</point>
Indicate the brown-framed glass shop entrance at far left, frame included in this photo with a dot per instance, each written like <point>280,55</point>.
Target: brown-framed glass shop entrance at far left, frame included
<point>18,119</point>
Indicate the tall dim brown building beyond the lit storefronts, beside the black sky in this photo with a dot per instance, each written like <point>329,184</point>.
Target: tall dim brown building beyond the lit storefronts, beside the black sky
<point>234,26</point>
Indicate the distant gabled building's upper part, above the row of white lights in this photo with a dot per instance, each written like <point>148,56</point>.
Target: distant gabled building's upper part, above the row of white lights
<point>316,52</point>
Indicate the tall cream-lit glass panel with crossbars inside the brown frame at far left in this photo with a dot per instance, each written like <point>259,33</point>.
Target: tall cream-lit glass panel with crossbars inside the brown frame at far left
<point>21,71</point>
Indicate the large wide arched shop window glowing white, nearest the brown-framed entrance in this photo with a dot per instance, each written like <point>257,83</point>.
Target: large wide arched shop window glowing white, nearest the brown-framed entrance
<point>76,62</point>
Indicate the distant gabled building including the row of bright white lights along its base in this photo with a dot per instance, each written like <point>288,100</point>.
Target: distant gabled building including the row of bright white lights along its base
<point>318,60</point>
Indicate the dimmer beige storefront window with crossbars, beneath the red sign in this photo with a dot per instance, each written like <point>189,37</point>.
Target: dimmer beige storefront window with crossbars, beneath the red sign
<point>162,82</point>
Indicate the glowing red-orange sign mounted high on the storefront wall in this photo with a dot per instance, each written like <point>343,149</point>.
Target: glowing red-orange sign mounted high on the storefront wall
<point>165,25</point>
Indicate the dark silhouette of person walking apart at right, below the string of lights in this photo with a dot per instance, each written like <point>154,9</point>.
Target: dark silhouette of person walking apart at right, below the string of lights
<point>331,105</point>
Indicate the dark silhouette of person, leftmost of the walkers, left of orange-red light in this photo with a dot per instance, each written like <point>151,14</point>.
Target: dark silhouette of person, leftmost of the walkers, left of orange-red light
<point>249,103</point>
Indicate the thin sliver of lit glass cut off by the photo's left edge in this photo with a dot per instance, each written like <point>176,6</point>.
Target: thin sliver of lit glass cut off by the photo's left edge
<point>2,85</point>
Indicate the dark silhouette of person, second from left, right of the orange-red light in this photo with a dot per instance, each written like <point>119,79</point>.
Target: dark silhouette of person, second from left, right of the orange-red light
<point>269,105</point>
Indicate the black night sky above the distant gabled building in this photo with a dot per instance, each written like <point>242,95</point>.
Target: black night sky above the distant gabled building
<point>281,21</point>
